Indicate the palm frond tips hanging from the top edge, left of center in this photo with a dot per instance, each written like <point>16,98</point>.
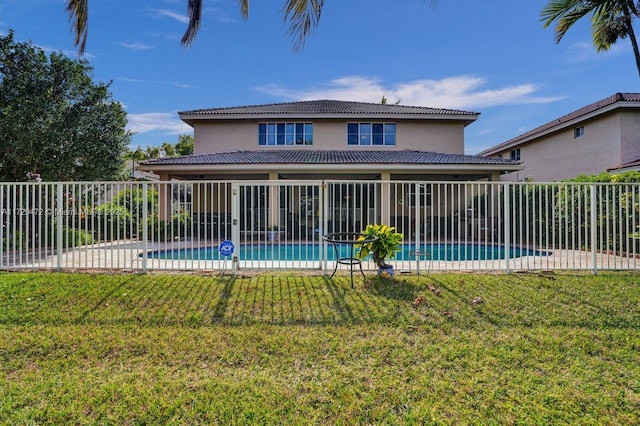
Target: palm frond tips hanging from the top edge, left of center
<point>302,16</point>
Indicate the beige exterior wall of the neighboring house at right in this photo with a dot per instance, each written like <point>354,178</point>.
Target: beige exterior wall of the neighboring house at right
<point>562,156</point>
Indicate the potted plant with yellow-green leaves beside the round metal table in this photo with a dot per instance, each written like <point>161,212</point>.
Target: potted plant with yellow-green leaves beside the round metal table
<point>385,246</point>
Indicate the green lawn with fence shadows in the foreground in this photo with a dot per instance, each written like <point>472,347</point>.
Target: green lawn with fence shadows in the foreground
<point>194,349</point>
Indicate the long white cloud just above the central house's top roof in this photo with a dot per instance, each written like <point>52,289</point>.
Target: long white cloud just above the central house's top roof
<point>459,92</point>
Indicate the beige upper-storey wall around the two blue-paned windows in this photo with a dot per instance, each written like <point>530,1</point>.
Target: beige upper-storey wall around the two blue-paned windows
<point>232,135</point>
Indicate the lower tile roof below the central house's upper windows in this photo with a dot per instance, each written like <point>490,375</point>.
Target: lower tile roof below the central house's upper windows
<point>328,157</point>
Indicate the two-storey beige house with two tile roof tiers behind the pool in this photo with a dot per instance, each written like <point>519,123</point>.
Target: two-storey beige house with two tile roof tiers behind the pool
<point>330,140</point>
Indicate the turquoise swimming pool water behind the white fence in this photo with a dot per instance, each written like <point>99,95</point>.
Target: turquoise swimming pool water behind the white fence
<point>311,252</point>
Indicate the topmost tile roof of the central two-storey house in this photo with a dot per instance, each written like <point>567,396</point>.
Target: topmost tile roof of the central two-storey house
<point>325,107</point>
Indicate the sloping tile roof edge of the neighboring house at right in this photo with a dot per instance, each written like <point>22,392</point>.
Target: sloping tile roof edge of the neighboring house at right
<point>589,109</point>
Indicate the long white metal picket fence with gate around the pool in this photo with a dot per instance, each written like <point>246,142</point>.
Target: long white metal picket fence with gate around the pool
<point>280,224</point>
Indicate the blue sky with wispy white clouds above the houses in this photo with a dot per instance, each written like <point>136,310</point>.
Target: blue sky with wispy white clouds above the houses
<point>491,57</point>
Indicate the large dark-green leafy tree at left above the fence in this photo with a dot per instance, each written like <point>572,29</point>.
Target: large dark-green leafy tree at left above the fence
<point>54,121</point>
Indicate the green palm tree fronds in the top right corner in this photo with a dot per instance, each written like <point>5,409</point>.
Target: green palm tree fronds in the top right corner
<point>611,20</point>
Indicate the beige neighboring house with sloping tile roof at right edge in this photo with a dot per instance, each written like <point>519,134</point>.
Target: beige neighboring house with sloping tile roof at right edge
<point>601,137</point>
